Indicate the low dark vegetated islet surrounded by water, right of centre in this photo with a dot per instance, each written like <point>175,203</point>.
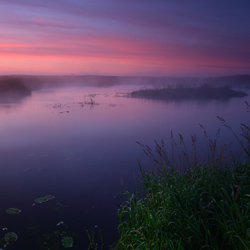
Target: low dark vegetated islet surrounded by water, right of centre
<point>179,93</point>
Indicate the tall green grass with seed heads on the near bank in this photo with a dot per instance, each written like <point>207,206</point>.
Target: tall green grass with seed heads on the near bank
<point>200,205</point>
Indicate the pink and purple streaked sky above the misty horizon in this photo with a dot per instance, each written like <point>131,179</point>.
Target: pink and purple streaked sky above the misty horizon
<point>125,37</point>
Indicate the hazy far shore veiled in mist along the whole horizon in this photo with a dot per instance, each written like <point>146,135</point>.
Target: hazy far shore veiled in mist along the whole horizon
<point>35,82</point>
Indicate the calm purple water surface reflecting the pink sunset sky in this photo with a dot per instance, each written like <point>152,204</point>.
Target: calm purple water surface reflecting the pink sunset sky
<point>82,151</point>
